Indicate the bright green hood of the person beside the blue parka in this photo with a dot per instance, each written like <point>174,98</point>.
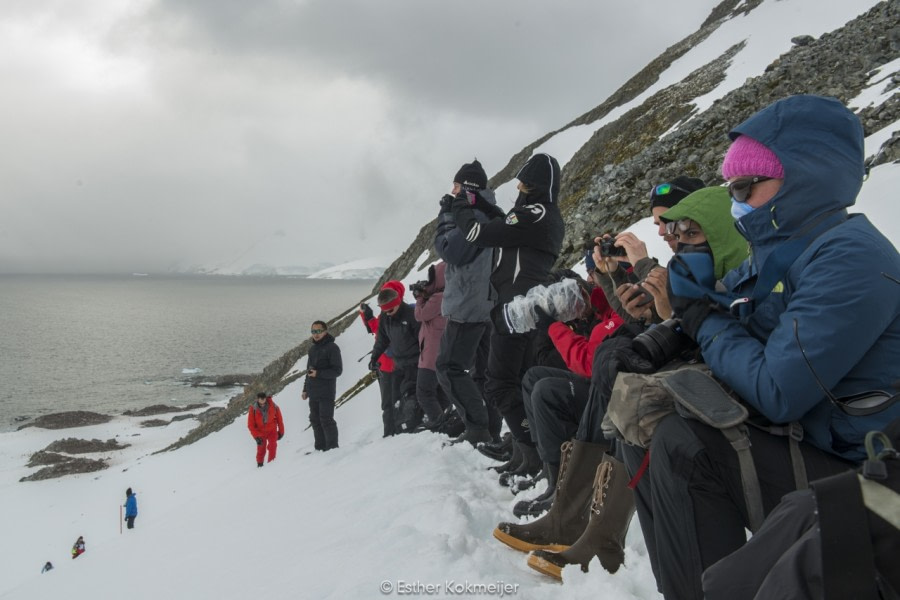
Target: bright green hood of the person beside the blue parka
<point>711,209</point>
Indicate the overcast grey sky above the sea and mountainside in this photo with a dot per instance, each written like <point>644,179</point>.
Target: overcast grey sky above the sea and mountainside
<point>147,134</point>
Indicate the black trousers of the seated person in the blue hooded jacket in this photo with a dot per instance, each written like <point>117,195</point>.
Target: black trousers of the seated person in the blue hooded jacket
<point>691,502</point>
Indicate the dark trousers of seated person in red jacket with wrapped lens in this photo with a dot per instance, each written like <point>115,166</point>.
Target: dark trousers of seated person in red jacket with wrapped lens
<point>554,402</point>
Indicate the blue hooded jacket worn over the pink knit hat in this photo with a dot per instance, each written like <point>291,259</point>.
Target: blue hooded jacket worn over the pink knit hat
<point>847,311</point>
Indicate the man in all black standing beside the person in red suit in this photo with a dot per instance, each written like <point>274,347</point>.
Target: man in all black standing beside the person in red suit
<point>323,368</point>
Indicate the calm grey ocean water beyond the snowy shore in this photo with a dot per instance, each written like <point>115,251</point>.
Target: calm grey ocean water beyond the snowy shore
<point>111,343</point>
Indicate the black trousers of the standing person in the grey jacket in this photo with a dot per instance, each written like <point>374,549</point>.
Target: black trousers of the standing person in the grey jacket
<point>455,363</point>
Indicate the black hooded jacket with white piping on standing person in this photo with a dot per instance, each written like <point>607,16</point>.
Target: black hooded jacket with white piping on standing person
<point>528,239</point>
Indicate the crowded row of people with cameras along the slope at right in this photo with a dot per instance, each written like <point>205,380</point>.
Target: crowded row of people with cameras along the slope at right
<point>697,394</point>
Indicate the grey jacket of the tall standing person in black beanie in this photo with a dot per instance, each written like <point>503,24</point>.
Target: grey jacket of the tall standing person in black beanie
<point>468,296</point>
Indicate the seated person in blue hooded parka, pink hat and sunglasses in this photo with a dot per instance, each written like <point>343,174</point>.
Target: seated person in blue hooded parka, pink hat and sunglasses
<point>817,318</point>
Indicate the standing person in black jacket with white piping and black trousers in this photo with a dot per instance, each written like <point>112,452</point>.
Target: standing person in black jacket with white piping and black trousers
<point>526,244</point>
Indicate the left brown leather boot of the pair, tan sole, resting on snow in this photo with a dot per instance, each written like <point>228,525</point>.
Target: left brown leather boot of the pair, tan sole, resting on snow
<point>561,526</point>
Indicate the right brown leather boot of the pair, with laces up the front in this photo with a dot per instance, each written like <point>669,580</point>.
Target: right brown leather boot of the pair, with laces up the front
<point>604,537</point>
